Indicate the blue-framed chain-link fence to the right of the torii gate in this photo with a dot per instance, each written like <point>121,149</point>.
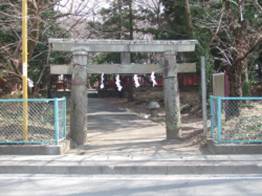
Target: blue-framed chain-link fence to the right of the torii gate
<point>236,119</point>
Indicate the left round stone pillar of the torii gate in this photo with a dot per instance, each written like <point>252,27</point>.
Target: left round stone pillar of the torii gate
<point>79,100</point>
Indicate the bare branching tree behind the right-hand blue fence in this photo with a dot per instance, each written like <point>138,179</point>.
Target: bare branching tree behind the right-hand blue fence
<point>235,35</point>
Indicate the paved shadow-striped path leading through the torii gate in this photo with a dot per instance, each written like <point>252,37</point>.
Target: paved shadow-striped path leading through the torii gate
<point>117,132</point>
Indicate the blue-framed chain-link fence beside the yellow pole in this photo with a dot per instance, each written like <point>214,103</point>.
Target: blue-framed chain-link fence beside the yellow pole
<point>46,121</point>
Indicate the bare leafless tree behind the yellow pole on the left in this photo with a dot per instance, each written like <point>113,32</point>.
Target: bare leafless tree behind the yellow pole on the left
<point>45,16</point>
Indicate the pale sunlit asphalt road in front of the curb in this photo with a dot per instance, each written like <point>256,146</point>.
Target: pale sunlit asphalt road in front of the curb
<point>130,185</point>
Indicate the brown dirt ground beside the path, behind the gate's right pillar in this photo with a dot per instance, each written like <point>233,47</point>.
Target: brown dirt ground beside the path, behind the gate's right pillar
<point>190,101</point>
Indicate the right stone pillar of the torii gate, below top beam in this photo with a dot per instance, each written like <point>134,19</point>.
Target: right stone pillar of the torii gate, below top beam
<point>171,96</point>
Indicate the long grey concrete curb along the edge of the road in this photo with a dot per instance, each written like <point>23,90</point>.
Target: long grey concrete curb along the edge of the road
<point>173,167</point>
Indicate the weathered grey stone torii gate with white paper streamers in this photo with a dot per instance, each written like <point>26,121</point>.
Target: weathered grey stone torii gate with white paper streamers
<point>82,67</point>
